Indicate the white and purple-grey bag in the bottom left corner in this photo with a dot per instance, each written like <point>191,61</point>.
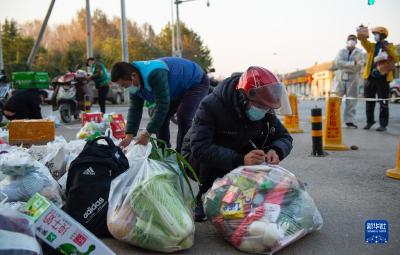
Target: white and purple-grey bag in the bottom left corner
<point>17,234</point>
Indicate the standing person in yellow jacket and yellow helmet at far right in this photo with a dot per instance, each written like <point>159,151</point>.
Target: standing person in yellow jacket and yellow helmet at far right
<point>377,83</point>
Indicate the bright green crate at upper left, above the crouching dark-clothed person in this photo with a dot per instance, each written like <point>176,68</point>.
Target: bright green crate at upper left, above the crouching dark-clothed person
<point>30,80</point>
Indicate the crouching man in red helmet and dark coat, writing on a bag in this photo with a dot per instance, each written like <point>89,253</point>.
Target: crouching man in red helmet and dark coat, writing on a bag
<point>235,126</point>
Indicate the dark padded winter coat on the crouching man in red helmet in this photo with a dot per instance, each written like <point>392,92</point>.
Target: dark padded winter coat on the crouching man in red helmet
<point>221,133</point>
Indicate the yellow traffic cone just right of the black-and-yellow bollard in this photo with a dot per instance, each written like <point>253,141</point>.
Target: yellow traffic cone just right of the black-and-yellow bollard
<point>332,139</point>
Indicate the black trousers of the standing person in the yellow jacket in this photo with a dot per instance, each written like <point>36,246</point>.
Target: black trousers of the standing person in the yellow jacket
<point>381,88</point>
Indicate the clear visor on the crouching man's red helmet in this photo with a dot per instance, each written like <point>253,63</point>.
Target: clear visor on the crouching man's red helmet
<point>272,96</point>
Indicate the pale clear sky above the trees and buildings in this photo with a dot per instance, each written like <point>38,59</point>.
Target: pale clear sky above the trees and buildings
<point>283,35</point>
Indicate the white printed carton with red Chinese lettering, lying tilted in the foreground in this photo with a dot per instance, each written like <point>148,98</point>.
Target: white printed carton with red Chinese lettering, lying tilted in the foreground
<point>61,231</point>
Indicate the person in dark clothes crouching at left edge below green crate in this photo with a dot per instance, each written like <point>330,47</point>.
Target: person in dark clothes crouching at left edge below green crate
<point>24,104</point>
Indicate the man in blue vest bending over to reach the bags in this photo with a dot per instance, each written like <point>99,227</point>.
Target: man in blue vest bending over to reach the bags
<point>176,85</point>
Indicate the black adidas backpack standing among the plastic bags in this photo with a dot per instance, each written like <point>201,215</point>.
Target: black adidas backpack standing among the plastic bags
<point>88,184</point>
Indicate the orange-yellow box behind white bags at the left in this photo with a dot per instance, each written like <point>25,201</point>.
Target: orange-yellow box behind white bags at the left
<point>31,131</point>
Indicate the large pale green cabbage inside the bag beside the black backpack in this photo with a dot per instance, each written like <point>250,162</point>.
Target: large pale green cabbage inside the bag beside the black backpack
<point>163,221</point>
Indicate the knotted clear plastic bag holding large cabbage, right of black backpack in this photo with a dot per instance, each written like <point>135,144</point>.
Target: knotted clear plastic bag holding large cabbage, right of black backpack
<point>148,205</point>
